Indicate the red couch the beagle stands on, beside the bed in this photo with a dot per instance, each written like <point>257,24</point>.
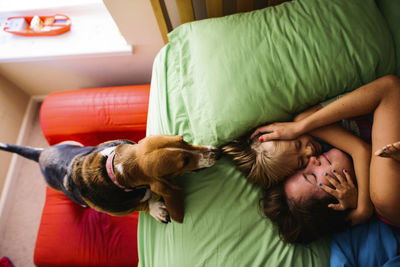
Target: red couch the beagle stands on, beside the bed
<point>70,235</point>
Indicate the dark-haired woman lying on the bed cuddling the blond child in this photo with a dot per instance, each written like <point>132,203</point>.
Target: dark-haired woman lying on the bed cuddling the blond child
<point>302,206</point>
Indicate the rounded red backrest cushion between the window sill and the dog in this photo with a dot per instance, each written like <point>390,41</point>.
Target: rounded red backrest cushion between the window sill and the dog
<point>92,116</point>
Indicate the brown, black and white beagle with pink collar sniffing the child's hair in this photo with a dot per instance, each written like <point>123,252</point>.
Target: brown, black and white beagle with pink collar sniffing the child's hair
<point>119,177</point>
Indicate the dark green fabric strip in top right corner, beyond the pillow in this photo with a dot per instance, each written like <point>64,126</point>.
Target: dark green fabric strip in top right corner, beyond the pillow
<point>391,11</point>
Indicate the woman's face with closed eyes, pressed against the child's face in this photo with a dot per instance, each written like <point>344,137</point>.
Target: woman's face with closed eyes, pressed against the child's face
<point>305,183</point>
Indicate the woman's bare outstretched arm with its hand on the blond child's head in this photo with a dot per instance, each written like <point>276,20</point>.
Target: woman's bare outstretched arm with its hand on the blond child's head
<point>358,102</point>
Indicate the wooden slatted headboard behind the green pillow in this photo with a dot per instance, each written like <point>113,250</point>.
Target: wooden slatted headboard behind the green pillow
<point>190,10</point>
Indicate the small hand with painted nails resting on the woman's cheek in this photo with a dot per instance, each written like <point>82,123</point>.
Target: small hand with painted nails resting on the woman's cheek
<point>345,191</point>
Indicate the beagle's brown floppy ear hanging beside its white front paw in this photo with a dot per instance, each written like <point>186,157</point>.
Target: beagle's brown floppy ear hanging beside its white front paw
<point>173,198</point>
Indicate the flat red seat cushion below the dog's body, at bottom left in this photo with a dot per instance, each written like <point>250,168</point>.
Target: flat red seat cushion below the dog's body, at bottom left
<point>70,235</point>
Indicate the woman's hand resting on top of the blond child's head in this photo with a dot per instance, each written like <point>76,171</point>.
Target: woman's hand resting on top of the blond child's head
<point>278,130</point>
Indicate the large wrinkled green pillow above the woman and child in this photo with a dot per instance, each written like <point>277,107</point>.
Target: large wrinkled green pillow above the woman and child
<point>236,72</point>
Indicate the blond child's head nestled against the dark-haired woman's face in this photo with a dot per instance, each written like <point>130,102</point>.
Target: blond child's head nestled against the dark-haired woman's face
<point>267,163</point>
